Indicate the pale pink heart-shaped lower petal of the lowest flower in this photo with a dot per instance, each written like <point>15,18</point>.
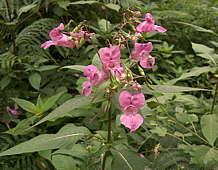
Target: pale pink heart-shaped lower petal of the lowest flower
<point>133,122</point>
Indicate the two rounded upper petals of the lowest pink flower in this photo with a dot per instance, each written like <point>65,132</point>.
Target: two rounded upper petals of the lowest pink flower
<point>126,99</point>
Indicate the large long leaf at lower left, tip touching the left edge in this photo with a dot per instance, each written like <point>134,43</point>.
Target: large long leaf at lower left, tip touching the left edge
<point>66,135</point>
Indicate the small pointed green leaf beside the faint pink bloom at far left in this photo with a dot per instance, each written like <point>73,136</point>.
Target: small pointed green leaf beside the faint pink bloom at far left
<point>26,105</point>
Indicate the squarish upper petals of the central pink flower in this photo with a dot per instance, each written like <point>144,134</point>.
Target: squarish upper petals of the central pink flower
<point>110,54</point>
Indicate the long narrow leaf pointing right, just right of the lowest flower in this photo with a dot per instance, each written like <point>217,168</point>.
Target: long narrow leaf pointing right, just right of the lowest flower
<point>169,89</point>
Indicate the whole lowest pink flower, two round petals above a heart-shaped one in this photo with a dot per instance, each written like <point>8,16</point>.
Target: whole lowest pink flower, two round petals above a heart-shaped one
<point>130,104</point>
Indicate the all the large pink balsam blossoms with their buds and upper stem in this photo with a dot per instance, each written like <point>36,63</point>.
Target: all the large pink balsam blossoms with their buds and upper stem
<point>121,79</point>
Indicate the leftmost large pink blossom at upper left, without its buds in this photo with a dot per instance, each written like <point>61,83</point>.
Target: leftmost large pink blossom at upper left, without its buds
<point>58,38</point>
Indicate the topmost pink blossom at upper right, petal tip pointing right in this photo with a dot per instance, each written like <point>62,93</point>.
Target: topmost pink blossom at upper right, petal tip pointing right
<point>149,25</point>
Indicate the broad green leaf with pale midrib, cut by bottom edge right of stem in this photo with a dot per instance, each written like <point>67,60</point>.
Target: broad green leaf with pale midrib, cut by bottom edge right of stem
<point>128,160</point>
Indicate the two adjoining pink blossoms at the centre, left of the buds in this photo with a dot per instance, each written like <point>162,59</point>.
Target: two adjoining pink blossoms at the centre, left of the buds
<point>110,58</point>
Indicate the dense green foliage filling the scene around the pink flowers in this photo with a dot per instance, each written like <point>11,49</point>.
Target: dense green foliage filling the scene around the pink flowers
<point>47,122</point>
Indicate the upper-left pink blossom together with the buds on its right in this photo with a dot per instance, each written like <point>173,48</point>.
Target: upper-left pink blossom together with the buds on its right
<point>60,39</point>
